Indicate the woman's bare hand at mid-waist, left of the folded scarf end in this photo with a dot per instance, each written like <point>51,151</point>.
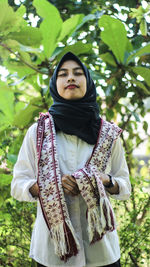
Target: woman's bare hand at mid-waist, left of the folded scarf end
<point>69,185</point>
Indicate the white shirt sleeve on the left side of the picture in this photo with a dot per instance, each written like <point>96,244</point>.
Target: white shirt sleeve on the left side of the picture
<point>25,170</point>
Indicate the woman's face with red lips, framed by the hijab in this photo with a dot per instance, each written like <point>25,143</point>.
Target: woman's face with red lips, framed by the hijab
<point>71,81</point>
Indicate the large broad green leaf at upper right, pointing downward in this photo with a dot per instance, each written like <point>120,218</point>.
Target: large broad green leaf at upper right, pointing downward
<point>114,35</point>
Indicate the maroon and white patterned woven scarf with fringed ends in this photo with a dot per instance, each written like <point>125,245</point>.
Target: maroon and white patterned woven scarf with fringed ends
<point>99,211</point>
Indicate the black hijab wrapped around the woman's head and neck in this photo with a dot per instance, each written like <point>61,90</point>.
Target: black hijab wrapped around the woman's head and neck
<point>76,117</point>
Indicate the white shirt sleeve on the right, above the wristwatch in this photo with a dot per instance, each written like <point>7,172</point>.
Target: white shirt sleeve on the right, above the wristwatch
<point>119,171</point>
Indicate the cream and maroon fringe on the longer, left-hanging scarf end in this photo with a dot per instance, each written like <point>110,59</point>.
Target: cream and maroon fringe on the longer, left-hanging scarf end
<point>64,240</point>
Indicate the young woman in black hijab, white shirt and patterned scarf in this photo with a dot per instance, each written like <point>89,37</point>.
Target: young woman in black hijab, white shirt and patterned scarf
<point>71,162</point>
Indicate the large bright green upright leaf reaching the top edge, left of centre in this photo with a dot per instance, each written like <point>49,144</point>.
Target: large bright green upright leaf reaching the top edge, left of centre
<point>50,26</point>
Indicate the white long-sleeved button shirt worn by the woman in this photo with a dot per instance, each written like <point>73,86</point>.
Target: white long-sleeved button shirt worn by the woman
<point>73,154</point>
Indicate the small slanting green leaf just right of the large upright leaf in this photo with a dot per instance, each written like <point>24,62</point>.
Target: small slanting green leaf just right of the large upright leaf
<point>70,25</point>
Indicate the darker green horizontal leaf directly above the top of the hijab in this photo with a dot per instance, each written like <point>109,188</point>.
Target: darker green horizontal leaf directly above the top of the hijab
<point>77,48</point>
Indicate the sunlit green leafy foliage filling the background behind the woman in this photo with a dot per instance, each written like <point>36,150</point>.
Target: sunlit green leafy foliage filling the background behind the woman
<point>112,39</point>
